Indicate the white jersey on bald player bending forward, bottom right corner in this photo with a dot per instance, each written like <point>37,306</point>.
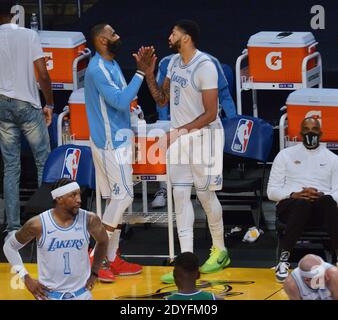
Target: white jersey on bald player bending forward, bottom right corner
<point>306,292</point>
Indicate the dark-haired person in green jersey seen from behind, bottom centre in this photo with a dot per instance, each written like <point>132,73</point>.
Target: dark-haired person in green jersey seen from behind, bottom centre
<point>186,273</point>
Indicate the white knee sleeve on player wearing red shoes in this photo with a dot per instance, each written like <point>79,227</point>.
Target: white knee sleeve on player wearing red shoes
<point>114,211</point>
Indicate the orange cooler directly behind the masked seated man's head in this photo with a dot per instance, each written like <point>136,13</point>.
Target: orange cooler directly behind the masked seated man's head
<point>312,102</point>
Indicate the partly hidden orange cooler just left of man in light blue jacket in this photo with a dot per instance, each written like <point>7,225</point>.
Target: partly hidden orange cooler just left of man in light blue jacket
<point>78,116</point>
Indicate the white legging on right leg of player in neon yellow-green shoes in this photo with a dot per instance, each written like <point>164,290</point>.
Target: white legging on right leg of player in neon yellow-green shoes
<point>214,212</point>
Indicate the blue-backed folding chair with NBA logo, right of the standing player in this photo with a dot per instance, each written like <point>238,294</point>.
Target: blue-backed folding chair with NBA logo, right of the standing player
<point>248,143</point>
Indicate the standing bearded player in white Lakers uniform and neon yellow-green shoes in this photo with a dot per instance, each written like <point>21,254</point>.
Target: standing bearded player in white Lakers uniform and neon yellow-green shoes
<point>191,88</point>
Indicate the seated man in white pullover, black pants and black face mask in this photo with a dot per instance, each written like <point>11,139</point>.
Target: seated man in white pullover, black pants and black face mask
<point>304,183</point>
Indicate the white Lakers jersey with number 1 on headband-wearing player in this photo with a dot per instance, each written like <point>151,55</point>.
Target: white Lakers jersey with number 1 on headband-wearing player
<point>62,254</point>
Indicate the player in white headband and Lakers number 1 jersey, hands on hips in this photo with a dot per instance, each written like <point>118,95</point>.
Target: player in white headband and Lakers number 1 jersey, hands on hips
<point>62,236</point>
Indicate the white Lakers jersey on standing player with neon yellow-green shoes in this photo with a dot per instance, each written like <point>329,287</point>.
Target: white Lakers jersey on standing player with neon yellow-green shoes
<point>186,84</point>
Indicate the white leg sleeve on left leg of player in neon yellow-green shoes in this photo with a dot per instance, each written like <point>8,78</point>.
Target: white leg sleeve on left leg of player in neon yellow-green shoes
<point>184,217</point>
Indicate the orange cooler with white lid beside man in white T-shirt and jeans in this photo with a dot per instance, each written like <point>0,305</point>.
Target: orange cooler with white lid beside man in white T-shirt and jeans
<point>61,48</point>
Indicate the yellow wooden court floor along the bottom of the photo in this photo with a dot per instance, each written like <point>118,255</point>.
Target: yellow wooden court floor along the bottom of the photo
<point>231,283</point>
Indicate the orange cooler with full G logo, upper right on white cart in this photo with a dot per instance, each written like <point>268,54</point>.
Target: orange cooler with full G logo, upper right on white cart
<point>278,56</point>
